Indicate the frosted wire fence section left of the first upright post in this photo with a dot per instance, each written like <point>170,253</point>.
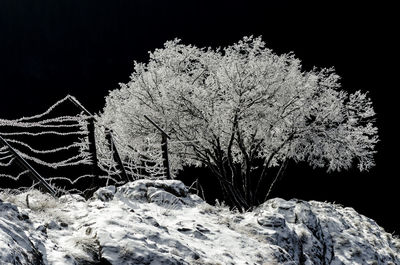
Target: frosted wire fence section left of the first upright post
<point>55,144</point>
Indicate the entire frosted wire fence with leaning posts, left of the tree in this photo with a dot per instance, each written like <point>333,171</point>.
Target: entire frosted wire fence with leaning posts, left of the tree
<point>71,152</point>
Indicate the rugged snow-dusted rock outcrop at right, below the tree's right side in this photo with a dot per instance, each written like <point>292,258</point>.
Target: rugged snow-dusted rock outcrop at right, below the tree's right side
<point>322,233</point>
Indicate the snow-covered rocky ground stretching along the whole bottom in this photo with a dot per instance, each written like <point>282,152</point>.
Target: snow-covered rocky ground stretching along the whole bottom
<point>159,222</point>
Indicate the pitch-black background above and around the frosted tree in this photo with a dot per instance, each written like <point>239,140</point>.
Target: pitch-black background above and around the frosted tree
<point>85,48</point>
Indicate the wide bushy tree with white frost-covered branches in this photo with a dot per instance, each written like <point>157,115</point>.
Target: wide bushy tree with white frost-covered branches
<point>242,111</point>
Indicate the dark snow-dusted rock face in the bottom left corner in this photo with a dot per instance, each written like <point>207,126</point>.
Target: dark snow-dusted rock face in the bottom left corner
<point>15,244</point>
